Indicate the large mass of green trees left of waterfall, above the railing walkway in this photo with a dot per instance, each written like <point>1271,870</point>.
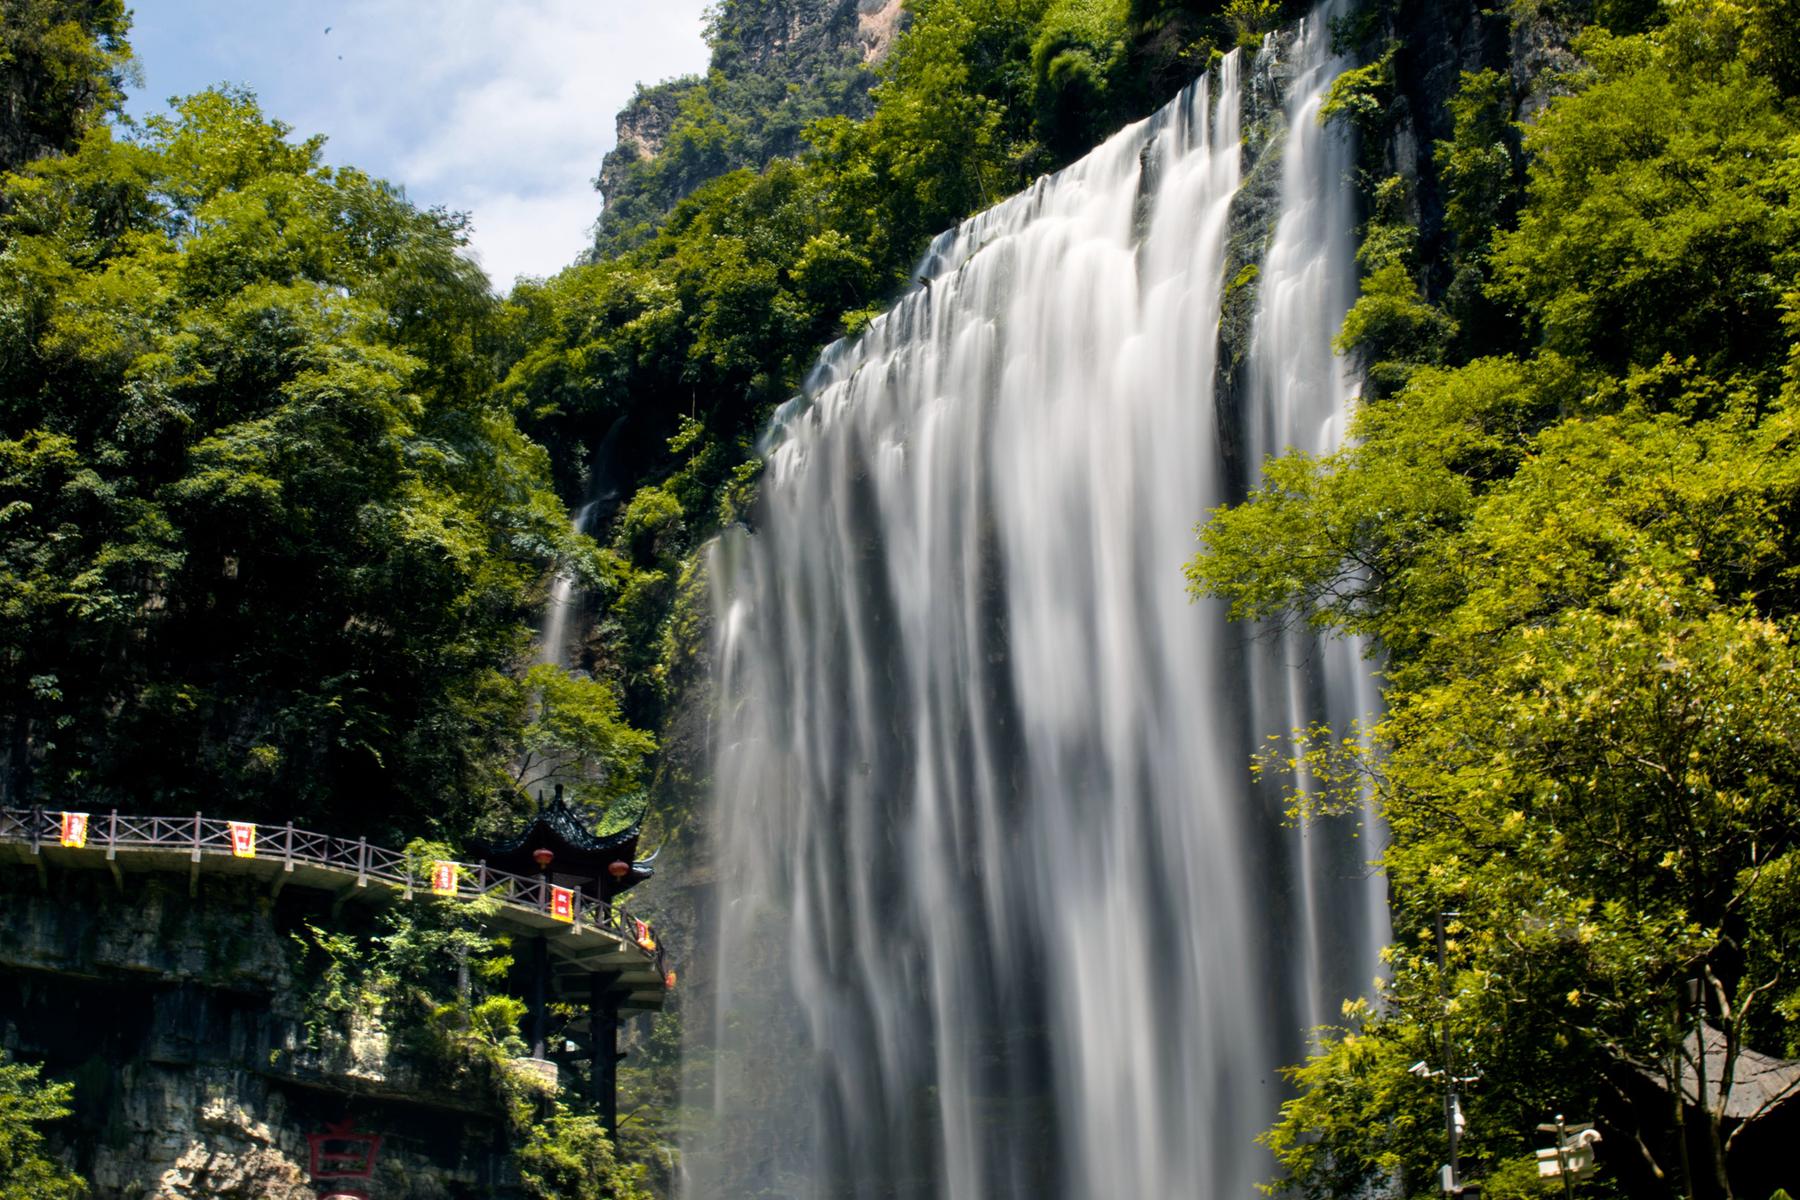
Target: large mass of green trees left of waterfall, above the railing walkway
<point>267,532</point>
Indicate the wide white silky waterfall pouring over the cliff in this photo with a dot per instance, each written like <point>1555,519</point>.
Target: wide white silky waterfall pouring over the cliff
<point>1000,913</point>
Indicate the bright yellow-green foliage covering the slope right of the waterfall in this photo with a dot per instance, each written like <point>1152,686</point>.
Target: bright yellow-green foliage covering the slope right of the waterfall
<point>1578,562</point>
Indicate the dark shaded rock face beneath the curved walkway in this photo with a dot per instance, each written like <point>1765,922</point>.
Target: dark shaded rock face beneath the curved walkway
<point>179,1023</point>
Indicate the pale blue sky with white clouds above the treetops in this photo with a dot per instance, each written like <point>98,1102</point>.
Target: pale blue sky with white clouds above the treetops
<point>499,109</point>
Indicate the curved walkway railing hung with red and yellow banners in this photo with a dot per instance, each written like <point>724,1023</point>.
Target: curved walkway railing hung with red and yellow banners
<point>202,837</point>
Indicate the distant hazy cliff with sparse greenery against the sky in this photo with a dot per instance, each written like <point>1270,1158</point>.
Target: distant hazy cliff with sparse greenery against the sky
<point>777,66</point>
